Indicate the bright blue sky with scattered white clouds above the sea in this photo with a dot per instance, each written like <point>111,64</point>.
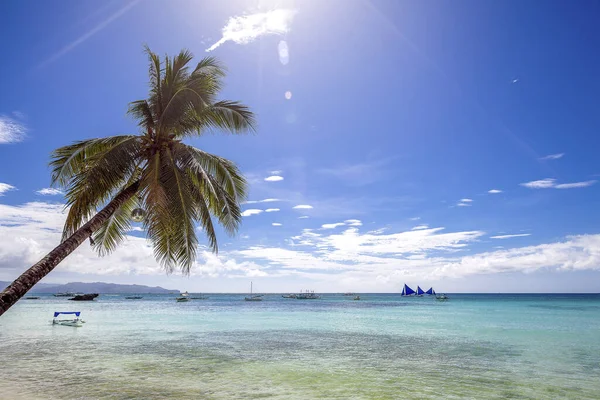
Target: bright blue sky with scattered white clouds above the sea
<point>389,121</point>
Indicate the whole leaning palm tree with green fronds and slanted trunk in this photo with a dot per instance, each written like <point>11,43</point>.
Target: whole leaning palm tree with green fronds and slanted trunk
<point>172,186</point>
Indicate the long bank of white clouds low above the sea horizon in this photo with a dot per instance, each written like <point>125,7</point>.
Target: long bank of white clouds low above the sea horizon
<point>343,258</point>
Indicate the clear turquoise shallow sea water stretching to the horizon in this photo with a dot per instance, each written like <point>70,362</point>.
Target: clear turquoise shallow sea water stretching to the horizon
<point>381,347</point>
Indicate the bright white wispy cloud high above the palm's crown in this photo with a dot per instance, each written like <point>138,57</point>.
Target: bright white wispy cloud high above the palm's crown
<point>247,28</point>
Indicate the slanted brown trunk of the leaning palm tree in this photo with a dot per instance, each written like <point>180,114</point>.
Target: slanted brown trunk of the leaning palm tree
<point>33,275</point>
